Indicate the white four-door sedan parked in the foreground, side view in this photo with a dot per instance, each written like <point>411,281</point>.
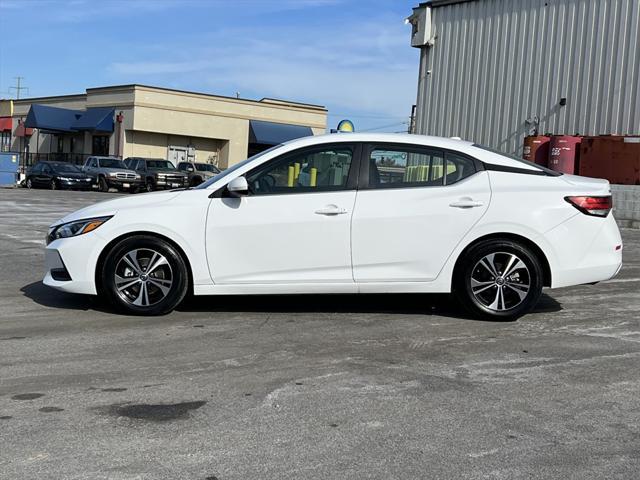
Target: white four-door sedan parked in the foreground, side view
<point>347,213</point>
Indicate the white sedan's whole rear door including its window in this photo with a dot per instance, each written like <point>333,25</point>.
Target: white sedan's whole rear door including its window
<point>416,205</point>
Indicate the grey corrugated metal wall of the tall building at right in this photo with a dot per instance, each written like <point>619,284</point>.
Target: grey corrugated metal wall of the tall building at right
<point>497,63</point>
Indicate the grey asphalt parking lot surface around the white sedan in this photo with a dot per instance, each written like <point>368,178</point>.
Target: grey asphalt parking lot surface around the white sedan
<point>309,387</point>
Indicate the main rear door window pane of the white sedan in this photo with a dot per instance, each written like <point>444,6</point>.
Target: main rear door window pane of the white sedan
<point>398,168</point>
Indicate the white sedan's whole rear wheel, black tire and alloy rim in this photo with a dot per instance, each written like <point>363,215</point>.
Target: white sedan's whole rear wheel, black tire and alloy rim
<point>494,295</point>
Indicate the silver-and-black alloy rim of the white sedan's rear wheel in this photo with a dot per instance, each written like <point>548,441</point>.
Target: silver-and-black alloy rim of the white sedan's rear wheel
<point>500,281</point>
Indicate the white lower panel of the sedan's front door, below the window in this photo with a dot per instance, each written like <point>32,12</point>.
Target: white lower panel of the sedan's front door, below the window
<point>295,238</point>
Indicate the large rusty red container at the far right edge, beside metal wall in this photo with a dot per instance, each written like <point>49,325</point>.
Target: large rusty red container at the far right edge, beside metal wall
<point>615,158</point>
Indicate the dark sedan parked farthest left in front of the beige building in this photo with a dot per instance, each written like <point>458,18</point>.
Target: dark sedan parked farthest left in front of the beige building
<point>57,175</point>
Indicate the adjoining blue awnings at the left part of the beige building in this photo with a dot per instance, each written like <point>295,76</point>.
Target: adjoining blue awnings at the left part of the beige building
<point>56,119</point>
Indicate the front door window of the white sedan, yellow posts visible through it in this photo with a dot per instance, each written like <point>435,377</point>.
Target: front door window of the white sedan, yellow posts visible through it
<point>309,171</point>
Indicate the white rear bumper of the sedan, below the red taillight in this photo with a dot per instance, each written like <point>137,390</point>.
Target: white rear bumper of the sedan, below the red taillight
<point>588,250</point>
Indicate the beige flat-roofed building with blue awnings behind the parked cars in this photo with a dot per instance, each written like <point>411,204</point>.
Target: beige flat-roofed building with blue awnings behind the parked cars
<point>144,121</point>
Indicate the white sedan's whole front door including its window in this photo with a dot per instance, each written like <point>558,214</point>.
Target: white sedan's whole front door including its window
<point>294,225</point>
